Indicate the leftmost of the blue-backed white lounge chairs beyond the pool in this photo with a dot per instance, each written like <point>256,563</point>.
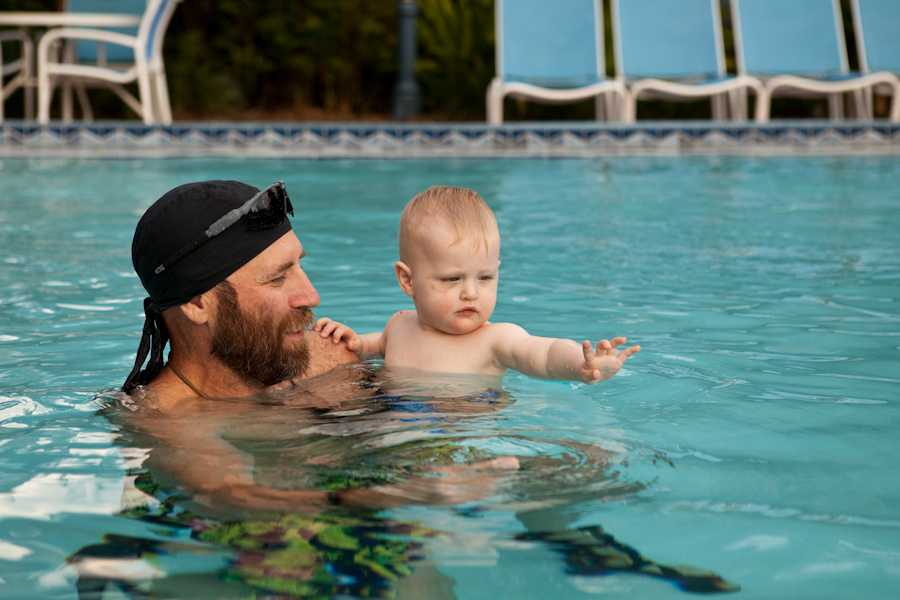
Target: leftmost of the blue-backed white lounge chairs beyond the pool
<point>551,52</point>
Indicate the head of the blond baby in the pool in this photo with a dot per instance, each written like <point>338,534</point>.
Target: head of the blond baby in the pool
<point>449,258</point>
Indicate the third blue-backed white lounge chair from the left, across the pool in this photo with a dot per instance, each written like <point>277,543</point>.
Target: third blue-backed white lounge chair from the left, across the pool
<point>797,47</point>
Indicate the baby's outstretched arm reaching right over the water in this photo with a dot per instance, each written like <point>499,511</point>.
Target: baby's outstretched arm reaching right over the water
<point>558,359</point>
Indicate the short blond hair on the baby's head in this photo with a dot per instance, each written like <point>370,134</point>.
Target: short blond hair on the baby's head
<point>462,207</point>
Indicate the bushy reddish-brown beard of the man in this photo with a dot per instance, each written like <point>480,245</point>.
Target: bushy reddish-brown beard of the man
<point>252,345</point>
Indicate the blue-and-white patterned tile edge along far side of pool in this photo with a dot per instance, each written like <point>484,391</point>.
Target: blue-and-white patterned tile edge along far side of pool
<point>312,140</point>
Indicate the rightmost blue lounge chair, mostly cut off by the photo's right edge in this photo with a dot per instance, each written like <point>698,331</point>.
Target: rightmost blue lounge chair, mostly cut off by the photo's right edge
<point>878,45</point>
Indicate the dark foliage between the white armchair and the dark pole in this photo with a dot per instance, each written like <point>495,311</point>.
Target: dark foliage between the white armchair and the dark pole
<point>339,55</point>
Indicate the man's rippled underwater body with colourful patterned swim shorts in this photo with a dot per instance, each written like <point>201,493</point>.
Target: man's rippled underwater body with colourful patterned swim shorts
<point>282,495</point>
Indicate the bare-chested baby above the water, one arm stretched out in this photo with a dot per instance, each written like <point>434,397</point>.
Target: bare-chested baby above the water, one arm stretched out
<point>449,263</point>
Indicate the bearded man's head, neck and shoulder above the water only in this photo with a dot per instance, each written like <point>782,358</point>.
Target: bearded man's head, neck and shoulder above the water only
<point>221,265</point>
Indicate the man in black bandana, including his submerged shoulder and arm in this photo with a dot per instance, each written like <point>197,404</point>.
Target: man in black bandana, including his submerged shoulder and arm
<point>222,268</point>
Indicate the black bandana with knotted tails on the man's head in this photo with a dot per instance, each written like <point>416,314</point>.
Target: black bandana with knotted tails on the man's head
<point>170,223</point>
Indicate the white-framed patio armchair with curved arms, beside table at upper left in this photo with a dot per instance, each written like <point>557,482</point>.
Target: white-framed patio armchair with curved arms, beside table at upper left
<point>146,68</point>
